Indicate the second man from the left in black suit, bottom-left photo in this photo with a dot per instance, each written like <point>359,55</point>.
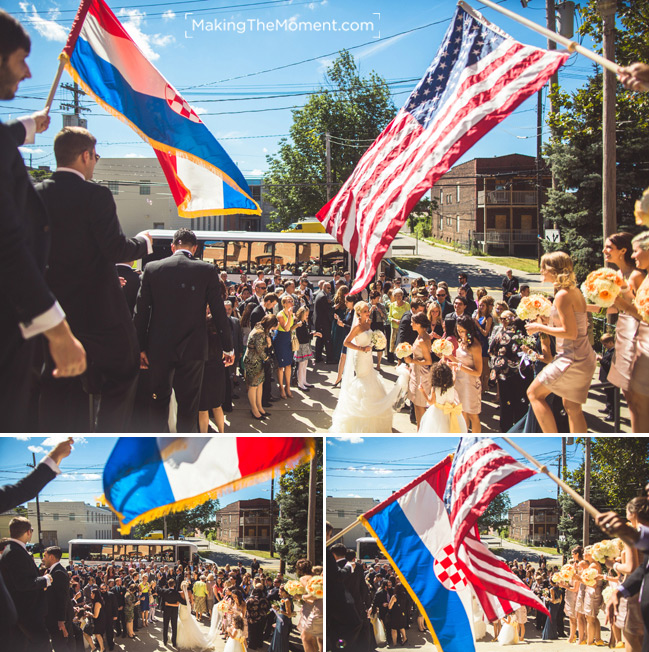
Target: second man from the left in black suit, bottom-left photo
<point>59,606</point>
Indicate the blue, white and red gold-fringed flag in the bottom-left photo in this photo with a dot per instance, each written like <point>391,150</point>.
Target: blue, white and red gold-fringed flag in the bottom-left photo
<point>148,477</point>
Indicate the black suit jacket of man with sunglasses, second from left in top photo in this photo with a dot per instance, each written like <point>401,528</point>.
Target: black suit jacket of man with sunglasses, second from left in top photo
<point>87,241</point>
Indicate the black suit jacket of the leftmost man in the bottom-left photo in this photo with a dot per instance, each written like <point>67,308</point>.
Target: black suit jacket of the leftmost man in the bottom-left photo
<point>25,586</point>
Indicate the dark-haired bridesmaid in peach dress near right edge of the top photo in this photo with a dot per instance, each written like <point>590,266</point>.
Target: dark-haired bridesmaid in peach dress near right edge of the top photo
<point>618,251</point>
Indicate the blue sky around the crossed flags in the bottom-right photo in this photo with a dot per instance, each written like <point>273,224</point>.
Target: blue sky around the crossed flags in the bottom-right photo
<point>375,467</point>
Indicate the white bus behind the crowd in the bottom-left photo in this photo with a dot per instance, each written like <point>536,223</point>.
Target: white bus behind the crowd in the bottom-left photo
<point>105,551</point>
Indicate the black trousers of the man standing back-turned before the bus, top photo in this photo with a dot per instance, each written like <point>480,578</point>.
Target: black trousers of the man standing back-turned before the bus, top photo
<point>185,378</point>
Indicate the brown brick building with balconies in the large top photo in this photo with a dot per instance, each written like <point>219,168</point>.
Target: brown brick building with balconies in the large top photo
<point>501,189</point>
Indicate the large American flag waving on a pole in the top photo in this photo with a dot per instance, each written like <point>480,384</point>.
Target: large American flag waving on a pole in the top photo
<point>478,77</point>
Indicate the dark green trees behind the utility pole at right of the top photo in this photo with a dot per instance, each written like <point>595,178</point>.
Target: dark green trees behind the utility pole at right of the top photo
<point>575,152</point>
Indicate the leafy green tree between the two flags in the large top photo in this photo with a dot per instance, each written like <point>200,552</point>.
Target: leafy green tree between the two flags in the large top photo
<point>354,110</point>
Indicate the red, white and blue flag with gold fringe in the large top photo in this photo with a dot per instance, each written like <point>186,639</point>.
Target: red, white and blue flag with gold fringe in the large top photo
<point>104,60</point>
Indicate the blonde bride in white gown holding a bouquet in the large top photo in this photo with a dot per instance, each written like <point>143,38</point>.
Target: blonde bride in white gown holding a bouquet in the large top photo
<point>366,400</point>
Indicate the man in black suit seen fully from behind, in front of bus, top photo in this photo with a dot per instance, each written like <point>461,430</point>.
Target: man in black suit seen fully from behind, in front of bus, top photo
<point>172,329</point>
